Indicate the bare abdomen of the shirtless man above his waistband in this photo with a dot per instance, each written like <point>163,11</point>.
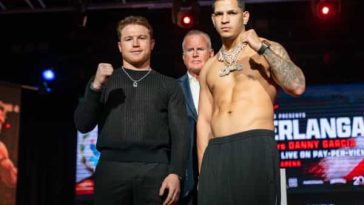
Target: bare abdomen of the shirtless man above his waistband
<point>240,109</point>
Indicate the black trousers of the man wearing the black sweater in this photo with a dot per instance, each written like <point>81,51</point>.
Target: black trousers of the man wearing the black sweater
<point>129,183</point>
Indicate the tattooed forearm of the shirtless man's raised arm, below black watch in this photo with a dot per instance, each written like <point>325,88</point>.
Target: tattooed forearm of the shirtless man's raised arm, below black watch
<point>285,72</point>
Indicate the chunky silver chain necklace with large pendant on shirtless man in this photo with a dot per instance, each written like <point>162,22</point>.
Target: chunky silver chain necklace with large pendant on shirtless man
<point>229,59</point>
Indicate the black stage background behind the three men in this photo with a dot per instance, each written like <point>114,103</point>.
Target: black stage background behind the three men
<point>329,52</point>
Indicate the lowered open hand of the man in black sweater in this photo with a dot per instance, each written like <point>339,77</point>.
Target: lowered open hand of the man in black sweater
<point>172,183</point>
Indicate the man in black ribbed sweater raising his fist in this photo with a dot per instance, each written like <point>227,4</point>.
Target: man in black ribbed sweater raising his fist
<point>142,118</point>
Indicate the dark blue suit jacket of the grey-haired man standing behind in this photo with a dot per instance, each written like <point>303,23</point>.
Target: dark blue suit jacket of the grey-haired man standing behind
<point>191,174</point>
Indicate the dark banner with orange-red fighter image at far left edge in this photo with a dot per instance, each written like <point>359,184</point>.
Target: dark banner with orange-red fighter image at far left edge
<point>9,134</point>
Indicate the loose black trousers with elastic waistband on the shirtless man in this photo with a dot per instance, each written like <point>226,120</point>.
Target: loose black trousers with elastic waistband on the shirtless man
<point>241,169</point>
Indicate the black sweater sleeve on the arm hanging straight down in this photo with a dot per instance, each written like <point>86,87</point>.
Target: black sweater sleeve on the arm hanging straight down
<point>178,125</point>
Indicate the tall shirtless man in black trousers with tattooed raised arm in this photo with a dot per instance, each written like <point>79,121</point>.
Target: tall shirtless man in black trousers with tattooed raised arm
<point>235,123</point>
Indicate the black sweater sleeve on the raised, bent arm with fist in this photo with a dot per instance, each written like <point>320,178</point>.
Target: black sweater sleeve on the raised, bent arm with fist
<point>87,113</point>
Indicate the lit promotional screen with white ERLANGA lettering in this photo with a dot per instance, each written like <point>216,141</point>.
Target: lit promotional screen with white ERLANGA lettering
<point>320,136</point>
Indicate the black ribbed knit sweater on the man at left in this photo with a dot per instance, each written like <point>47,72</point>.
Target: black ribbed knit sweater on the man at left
<point>147,123</point>
